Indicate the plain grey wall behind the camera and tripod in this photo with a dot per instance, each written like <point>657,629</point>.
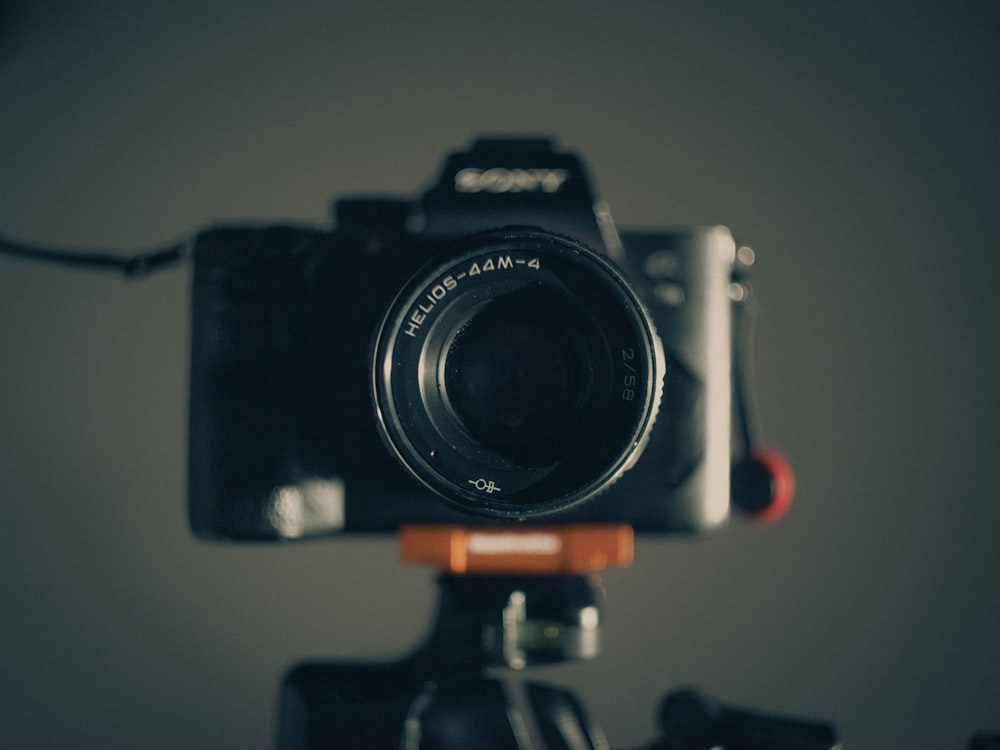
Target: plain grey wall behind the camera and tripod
<point>856,145</point>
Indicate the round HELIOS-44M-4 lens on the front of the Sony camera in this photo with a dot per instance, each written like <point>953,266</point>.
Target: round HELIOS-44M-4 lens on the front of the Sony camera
<point>518,375</point>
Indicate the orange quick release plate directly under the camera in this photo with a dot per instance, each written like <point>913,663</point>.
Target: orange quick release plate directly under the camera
<point>540,549</point>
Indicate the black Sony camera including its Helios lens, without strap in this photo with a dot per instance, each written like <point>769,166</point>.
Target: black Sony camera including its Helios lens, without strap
<point>495,353</point>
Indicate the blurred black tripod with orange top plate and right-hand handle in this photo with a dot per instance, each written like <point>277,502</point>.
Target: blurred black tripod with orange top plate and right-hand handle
<point>507,600</point>
